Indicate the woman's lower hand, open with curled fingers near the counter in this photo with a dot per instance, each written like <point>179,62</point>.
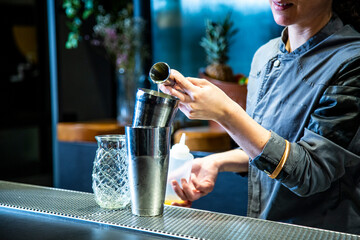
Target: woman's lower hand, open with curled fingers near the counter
<point>202,181</point>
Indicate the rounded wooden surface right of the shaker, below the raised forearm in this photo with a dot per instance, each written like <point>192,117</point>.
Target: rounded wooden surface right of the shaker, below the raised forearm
<point>204,139</point>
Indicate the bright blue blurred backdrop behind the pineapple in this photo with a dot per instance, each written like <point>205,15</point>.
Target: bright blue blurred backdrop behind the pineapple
<point>178,27</point>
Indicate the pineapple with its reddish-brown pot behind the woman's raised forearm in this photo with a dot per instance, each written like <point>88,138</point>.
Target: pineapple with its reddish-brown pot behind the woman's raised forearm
<point>216,43</point>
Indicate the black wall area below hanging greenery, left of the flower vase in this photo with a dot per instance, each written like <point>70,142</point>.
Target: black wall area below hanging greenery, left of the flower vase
<point>86,78</point>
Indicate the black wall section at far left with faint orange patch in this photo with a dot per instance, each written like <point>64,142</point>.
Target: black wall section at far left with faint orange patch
<point>25,123</point>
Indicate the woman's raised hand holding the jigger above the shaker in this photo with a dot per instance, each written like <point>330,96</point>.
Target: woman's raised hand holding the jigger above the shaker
<point>199,99</point>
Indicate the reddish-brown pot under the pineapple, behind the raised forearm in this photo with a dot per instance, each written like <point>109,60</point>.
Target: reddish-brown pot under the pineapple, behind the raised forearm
<point>234,90</point>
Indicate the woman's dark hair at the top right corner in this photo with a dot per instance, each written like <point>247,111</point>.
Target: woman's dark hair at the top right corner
<point>348,11</point>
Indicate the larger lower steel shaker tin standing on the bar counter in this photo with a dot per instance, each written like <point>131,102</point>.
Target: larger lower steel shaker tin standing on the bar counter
<point>148,153</point>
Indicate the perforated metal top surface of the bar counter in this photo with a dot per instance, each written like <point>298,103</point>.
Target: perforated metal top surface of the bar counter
<point>176,222</point>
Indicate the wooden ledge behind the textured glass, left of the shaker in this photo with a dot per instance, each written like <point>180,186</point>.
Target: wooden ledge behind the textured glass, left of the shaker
<point>86,131</point>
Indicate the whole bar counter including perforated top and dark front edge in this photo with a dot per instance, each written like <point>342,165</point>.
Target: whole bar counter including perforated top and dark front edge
<point>34,212</point>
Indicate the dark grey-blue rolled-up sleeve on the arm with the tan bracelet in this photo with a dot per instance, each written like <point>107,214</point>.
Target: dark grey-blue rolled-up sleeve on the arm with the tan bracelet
<point>328,145</point>
